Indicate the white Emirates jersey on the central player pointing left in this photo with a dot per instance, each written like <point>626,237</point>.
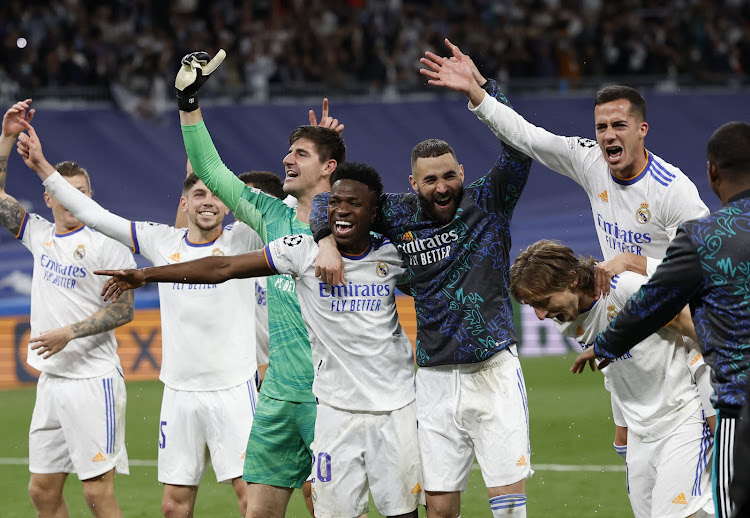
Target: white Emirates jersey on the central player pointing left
<point>362,358</point>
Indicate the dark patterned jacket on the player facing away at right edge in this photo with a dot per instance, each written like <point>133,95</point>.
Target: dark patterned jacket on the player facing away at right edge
<point>707,266</point>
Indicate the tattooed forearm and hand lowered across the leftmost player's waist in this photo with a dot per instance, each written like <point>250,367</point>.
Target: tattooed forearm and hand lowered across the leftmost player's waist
<point>113,315</point>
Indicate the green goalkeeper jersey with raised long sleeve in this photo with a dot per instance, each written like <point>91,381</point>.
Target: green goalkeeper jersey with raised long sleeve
<point>290,370</point>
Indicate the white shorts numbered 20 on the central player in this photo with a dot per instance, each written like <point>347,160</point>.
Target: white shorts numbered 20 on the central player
<point>354,451</point>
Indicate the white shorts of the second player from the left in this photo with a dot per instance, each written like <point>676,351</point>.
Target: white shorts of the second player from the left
<point>197,426</point>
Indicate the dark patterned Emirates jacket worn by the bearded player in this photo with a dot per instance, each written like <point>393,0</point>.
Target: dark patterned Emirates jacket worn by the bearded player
<point>459,272</point>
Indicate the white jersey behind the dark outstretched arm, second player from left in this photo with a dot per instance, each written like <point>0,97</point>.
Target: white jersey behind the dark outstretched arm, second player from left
<point>208,330</point>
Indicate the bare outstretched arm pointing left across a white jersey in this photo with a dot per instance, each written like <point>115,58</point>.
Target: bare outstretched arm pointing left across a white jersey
<point>209,270</point>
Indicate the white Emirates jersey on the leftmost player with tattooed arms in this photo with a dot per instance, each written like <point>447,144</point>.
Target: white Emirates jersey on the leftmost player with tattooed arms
<point>64,290</point>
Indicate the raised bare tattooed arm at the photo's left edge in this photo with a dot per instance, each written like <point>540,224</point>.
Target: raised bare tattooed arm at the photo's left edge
<point>15,121</point>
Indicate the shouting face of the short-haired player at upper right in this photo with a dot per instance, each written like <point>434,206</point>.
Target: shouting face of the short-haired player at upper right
<point>620,134</point>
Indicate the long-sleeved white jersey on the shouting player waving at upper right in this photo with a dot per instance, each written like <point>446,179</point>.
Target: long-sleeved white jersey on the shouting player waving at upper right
<point>638,215</point>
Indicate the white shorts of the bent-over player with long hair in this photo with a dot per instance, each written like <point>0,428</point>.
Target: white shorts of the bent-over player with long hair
<point>670,477</point>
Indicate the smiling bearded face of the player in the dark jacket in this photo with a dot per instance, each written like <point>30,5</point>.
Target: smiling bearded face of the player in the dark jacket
<point>439,182</point>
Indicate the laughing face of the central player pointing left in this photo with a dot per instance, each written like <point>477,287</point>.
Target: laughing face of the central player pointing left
<point>351,211</point>
